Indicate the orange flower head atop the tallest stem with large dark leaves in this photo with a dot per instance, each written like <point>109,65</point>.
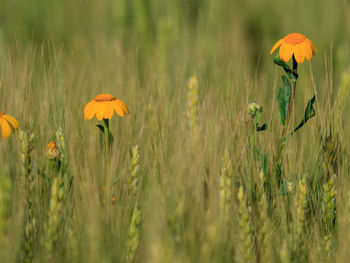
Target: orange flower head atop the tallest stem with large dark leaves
<point>296,44</point>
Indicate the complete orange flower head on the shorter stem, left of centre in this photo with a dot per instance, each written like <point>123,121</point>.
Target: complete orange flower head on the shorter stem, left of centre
<point>103,105</point>
